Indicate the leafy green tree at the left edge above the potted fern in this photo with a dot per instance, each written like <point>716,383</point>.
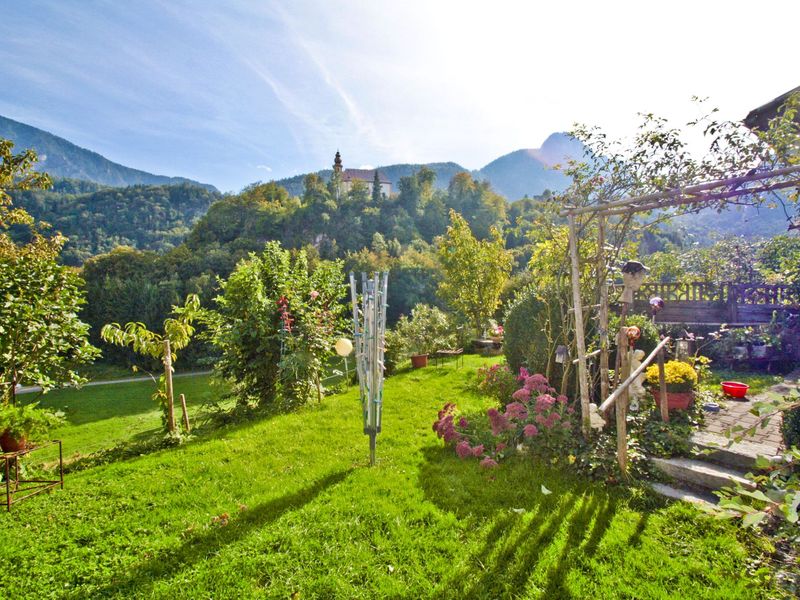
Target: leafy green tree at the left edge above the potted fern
<point>42,340</point>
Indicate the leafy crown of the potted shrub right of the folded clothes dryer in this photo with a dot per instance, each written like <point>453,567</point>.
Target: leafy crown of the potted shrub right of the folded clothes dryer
<point>428,330</point>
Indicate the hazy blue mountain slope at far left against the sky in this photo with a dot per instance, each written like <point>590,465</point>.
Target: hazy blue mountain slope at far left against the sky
<point>61,158</point>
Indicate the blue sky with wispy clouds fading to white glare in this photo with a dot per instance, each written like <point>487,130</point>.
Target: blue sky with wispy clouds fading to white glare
<point>238,91</point>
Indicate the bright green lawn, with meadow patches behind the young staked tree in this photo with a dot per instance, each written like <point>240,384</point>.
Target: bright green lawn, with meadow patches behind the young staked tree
<point>288,507</point>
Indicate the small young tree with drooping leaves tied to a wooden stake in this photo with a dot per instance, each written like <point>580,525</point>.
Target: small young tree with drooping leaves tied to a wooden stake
<point>178,332</point>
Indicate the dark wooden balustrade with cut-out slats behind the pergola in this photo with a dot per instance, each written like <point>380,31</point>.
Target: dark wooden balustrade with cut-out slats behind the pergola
<point>701,303</point>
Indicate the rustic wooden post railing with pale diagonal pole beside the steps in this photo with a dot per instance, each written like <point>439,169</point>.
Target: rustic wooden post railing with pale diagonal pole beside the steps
<point>619,398</point>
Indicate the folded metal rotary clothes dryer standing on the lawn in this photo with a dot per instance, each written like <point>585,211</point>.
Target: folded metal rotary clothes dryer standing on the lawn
<point>369,331</point>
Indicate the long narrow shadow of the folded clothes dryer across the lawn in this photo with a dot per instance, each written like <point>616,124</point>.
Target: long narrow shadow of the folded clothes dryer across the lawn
<point>138,580</point>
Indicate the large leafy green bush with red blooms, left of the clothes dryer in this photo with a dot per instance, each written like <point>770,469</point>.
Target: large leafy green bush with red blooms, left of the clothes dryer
<point>276,325</point>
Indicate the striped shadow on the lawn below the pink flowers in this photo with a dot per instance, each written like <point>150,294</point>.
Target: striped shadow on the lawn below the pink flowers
<point>556,533</point>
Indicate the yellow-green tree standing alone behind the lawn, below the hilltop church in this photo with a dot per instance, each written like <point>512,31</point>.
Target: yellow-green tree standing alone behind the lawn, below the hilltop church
<point>475,271</point>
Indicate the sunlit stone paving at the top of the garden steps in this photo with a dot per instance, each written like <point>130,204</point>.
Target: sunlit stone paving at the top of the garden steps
<point>737,412</point>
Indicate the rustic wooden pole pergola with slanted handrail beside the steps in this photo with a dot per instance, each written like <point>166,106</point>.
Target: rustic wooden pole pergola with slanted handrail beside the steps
<point>693,197</point>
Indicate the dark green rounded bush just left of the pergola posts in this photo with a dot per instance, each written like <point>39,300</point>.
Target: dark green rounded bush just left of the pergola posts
<point>532,330</point>
